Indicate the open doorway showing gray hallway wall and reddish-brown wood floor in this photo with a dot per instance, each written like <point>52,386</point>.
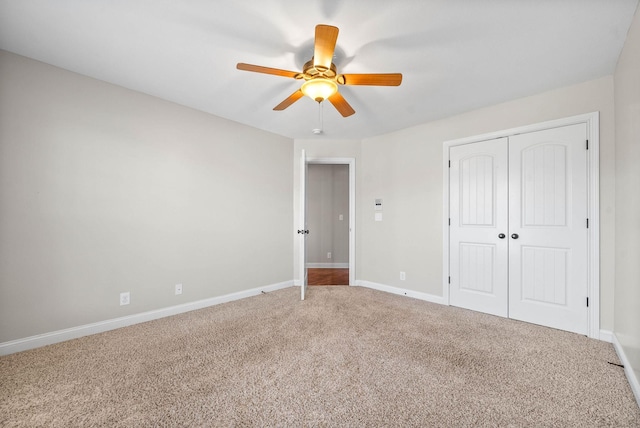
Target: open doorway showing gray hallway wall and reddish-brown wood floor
<point>328,216</point>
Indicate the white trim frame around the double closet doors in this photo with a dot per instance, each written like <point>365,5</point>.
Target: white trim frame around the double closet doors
<point>592,120</point>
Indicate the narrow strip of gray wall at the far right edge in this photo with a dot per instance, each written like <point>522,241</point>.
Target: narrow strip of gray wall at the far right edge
<point>627,175</point>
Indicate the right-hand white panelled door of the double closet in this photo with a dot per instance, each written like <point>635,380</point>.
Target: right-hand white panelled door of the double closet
<point>547,228</point>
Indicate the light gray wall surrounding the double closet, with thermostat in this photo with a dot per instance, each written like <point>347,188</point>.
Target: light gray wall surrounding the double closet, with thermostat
<point>405,170</point>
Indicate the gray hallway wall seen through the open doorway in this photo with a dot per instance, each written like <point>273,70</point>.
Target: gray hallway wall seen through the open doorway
<point>327,199</point>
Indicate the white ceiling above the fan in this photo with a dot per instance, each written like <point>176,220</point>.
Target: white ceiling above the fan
<point>455,55</point>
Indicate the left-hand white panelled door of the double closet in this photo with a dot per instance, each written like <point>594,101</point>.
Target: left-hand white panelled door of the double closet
<point>478,213</point>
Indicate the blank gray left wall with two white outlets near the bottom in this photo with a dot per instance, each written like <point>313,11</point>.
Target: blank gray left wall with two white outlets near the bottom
<point>104,190</point>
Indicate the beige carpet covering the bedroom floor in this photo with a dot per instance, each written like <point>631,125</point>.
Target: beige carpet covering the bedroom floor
<point>347,356</point>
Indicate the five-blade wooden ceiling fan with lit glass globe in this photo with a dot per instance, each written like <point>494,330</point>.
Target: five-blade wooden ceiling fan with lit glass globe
<point>320,76</point>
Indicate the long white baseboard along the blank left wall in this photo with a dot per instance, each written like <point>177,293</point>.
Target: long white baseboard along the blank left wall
<point>112,324</point>
